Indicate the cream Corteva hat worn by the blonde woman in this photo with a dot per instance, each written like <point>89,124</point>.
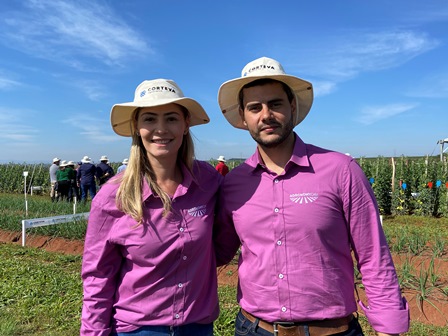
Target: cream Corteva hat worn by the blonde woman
<point>156,92</point>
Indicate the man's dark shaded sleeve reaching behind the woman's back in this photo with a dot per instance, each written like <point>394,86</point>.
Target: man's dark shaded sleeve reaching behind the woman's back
<point>225,239</point>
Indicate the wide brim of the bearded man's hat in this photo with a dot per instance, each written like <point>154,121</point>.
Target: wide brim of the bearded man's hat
<point>229,91</point>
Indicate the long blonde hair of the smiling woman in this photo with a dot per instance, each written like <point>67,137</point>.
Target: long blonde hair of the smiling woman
<point>129,194</point>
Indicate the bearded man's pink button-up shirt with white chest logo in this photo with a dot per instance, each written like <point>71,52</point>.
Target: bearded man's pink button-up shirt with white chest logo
<point>297,230</point>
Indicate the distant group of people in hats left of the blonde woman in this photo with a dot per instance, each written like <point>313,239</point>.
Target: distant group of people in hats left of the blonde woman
<point>70,180</point>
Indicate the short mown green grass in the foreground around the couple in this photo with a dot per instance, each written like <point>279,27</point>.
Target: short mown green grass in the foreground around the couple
<point>43,296</point>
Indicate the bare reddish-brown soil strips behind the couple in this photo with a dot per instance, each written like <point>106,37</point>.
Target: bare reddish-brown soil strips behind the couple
<point>433,311</point>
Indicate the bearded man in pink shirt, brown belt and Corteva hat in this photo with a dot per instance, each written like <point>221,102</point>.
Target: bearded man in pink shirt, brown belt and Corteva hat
<point>298,212</point>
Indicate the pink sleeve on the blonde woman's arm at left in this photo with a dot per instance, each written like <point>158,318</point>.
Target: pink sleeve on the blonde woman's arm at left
<point>100,267</point>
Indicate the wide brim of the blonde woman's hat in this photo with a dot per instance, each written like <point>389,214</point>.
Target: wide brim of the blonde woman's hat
<point>121,114</point>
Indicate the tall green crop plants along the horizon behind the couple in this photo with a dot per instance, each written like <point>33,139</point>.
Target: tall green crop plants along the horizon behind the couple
<point>403,186</point>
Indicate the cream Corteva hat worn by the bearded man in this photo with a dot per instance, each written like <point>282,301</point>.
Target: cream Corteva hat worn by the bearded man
<point>260,68</point>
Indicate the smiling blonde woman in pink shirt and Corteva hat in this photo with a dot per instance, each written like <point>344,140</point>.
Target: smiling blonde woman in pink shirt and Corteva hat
<point>148,265</point>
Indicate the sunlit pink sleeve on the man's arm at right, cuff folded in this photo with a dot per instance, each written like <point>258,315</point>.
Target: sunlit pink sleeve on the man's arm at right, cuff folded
<point>387,311</point>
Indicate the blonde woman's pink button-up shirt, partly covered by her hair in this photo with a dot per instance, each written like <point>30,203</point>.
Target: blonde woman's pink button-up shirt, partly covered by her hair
<point>162,272</point>
